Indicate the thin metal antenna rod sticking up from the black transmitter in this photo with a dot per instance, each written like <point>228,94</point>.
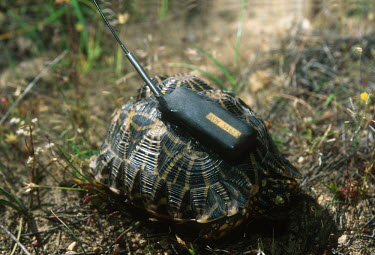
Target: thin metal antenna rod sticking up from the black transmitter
<point>130,56</point>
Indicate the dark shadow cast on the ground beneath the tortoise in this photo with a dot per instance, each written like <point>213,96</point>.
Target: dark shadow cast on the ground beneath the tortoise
<point>307,229</point>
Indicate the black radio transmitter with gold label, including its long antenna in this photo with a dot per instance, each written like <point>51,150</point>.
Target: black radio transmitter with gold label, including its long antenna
<point>207,121</point>
